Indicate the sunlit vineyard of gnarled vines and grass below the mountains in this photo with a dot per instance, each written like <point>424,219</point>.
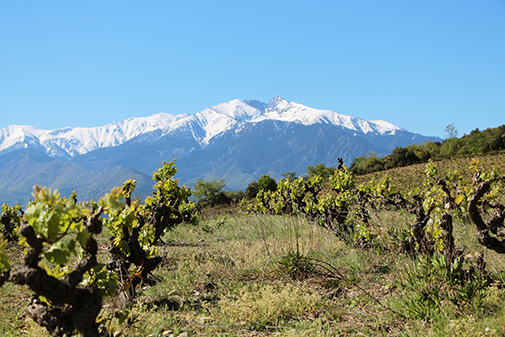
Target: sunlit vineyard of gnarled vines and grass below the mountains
<point>407,252</point>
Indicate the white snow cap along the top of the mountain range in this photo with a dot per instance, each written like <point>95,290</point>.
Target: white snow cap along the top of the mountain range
<point>203,126</point>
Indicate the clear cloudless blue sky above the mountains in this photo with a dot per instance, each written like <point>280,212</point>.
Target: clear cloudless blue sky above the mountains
<point>419,64</point>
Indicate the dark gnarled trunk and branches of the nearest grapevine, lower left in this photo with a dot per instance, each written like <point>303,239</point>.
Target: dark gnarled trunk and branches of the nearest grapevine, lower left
<point>71,308</point>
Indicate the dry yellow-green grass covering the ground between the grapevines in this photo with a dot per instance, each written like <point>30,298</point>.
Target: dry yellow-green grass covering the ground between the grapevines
<point>238,274</point>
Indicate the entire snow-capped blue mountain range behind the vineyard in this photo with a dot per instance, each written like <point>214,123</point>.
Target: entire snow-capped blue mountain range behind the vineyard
<point>237,140</point>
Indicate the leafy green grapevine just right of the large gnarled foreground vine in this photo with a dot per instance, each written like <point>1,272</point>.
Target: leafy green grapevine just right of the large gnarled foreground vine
<point>137,228</point>
